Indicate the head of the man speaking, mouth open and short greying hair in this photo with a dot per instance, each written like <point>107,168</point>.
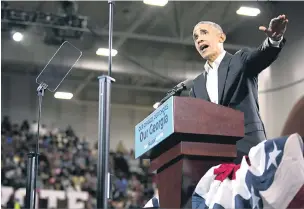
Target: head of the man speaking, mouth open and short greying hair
<point>207,38</point>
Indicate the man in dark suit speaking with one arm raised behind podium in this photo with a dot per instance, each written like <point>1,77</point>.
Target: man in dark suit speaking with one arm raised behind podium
<point>232,80</point>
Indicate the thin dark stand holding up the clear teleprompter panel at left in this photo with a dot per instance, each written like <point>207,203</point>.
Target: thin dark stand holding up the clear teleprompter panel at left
<point>32,164</point>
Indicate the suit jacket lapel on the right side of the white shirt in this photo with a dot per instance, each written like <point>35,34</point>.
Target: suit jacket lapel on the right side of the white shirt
<point>222,75</point>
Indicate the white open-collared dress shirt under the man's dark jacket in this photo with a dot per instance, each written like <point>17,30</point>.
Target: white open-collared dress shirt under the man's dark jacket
<point>211,72</point>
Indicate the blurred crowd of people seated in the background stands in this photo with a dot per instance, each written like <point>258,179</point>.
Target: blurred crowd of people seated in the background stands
<point>69,163</point>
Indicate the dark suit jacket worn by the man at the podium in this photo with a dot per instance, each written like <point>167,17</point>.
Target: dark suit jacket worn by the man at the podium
<point>238,84</point>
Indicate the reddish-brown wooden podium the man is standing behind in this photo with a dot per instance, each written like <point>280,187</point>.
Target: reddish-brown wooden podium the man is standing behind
<point>203,135</point>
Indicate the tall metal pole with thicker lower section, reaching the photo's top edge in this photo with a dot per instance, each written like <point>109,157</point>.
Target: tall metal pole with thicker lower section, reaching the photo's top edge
<point>105,83</point>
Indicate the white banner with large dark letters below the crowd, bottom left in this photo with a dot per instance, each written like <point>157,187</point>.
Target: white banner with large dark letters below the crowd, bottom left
<point>47,198</point>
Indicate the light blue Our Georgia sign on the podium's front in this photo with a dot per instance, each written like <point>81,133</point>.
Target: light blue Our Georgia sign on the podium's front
<point>154,128</point>
